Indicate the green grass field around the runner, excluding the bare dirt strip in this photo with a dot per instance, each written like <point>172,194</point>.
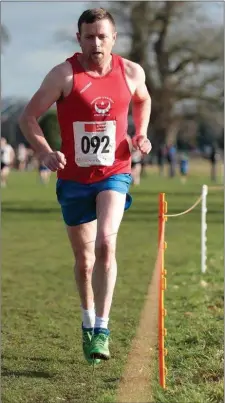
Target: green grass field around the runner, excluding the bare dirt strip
<point>41,340</point>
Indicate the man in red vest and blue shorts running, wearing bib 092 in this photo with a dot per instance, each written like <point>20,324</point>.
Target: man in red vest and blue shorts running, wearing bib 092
<point>92,90</point>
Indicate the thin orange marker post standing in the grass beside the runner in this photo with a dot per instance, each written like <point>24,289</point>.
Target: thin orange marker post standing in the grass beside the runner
<point>162,287</point>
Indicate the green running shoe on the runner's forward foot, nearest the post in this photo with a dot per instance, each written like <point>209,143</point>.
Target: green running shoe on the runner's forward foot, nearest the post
<point>100,344</point>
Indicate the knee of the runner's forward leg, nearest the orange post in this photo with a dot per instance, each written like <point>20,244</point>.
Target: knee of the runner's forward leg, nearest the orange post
<point>105,250</point>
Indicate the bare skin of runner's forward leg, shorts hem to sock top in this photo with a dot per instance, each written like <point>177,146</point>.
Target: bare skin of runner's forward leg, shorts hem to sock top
<point>110,209</point>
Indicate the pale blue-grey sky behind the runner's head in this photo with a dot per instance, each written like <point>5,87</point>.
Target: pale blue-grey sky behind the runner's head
<point>33,49</point>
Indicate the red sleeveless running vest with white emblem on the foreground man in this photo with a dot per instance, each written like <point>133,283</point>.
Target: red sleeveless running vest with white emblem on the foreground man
<point>93,124</point>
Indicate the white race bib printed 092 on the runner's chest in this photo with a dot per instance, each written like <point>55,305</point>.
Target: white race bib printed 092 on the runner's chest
<point>95,143</point>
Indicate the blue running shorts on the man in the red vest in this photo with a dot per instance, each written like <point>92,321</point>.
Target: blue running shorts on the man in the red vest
<point>78,201</point>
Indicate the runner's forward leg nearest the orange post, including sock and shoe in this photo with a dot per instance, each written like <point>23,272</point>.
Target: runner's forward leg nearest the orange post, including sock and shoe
<point>110,209</point>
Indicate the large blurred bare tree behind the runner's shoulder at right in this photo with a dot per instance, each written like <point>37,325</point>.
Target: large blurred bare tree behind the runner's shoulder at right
<point>181,51</point>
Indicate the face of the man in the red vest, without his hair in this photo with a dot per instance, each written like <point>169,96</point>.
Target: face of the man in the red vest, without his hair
<point>97,40</point>
